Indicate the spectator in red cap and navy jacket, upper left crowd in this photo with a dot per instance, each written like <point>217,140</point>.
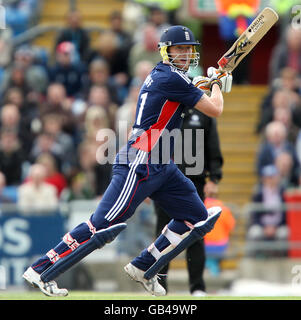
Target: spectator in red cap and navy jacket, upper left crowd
<point>67,72</point>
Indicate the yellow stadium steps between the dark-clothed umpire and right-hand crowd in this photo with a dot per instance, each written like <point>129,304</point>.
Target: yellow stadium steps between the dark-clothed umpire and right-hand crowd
<point>239,142</point>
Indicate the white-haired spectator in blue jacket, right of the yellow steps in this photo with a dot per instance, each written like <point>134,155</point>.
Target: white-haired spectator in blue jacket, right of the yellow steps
<point>275,142</point>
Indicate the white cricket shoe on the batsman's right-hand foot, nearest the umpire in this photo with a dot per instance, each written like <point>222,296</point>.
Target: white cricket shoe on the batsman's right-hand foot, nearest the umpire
<point>152,285</point>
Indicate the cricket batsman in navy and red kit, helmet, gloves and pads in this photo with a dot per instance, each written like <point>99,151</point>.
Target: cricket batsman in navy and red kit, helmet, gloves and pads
<point>166,92</point>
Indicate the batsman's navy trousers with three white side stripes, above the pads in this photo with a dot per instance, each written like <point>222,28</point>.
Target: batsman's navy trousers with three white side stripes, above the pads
<point>164,183</point>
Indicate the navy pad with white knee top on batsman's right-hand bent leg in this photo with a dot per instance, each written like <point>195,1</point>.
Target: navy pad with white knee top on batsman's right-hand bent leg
<point>198,232</point>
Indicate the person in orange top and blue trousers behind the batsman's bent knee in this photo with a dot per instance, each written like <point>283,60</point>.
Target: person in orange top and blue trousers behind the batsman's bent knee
<point>217,241</point>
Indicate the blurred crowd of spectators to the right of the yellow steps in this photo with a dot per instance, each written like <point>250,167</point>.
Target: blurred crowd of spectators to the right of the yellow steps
<point>279,157</point>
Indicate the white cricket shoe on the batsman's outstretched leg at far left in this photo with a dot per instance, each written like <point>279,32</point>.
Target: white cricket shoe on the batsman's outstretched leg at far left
<point>48,288</point>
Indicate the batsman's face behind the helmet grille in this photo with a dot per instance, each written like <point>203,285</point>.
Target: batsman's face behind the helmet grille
<point>181,55</point>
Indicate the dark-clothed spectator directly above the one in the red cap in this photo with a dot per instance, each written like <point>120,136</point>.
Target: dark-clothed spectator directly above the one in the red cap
<point>76,34</point>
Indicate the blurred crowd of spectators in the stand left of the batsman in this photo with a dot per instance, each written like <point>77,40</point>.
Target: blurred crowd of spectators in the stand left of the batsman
<point>52,105</point>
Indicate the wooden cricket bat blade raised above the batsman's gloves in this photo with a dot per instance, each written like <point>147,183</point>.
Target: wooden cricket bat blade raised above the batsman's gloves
<point>248,40</point>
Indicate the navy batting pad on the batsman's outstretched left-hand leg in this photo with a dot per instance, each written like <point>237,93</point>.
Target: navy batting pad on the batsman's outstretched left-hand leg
<point>97,241</point>
